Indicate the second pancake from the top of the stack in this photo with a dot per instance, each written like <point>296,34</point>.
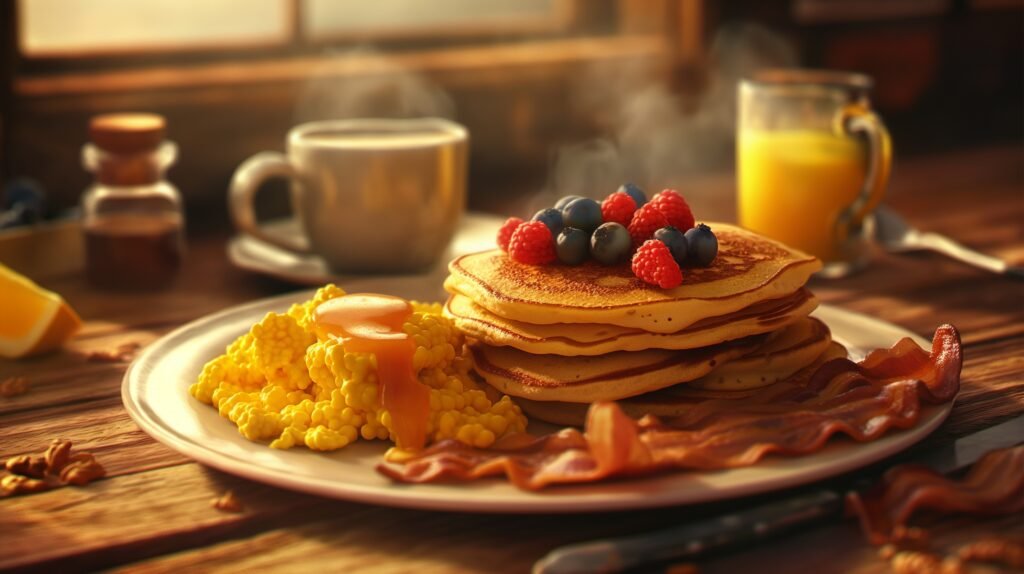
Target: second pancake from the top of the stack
<point>586,339</point>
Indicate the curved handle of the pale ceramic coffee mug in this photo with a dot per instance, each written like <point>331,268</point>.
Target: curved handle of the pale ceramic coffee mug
<point>246,183</point>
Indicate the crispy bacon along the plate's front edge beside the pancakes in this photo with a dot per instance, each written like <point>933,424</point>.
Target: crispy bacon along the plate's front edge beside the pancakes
<point>862,401</point>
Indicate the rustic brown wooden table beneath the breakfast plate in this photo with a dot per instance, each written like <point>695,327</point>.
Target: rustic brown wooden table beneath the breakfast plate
<point>153,511</point>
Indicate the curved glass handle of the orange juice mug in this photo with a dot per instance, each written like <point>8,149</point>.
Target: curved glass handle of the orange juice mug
<point>855,119</point>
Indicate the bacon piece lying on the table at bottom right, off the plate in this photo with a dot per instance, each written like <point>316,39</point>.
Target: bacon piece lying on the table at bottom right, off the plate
<point>995,485</point>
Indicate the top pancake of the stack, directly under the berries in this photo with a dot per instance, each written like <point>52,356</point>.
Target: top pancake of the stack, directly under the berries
<point>749,270</point>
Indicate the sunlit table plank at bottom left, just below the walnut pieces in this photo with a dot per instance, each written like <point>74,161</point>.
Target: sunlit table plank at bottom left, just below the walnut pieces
<point>137,516</point>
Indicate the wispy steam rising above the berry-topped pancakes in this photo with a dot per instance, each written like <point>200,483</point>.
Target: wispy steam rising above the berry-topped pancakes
<point>658,139</point>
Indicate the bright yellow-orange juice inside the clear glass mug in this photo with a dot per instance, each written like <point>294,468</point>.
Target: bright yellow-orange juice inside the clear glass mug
<point>795,184</point>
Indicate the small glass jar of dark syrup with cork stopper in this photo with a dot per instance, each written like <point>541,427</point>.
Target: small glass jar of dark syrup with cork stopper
<point>133,217</point>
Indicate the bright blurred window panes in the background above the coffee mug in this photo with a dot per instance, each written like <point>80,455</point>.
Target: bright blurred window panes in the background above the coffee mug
<point>59,28</point>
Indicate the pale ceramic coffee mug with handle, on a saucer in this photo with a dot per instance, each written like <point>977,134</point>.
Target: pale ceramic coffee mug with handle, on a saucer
<point>372,195</point>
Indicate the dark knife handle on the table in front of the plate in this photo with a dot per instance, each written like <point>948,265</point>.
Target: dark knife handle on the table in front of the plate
<point>689,541</point>
